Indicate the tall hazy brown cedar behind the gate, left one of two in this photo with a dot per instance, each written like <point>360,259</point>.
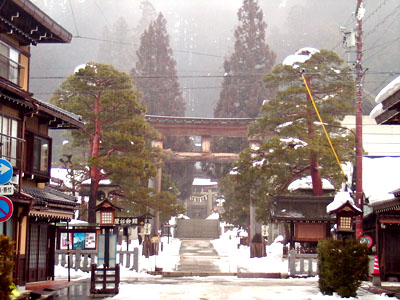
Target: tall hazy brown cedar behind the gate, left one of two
<point>156,76</point>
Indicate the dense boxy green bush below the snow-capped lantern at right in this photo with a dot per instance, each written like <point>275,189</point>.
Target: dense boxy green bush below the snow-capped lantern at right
<point>343,265</point>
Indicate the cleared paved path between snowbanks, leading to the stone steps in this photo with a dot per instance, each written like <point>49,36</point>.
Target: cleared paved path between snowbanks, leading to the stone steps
<point>198,256</point>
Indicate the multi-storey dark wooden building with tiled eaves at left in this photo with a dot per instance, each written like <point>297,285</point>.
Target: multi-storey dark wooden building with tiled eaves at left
<point>25,142</point>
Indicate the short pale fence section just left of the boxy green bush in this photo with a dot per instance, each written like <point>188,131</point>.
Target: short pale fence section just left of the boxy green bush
<point>302,264</point>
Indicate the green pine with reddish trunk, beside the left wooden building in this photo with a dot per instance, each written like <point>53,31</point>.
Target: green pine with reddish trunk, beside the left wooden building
<point>116,134</point>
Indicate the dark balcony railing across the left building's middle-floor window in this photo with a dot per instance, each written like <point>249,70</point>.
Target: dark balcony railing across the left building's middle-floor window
<point>11,150</point>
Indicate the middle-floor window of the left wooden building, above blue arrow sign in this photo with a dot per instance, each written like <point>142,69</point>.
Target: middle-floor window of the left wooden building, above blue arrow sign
<point>9,139</point>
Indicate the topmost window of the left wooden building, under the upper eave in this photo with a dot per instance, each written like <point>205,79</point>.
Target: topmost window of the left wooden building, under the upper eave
<point>9,63</point>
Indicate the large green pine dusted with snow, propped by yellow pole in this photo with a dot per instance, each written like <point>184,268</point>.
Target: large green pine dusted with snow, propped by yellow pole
<point>298,146</point>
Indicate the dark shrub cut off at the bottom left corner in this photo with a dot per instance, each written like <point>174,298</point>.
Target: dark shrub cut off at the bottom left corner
<point>7,256</point>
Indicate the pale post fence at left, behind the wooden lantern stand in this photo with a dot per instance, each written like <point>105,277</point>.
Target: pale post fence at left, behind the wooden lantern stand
<point>83,259</point>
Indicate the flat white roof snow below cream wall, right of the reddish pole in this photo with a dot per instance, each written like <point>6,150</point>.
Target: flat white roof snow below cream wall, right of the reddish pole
<point>380,177</point>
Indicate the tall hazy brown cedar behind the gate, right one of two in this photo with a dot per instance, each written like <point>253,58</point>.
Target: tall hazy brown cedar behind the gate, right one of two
<point>243,91</point>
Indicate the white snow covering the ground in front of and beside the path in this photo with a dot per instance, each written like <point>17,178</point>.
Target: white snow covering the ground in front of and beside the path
<point>233,258</point>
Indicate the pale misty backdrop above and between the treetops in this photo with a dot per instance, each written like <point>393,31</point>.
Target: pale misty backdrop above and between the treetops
<point>201,35</point>
